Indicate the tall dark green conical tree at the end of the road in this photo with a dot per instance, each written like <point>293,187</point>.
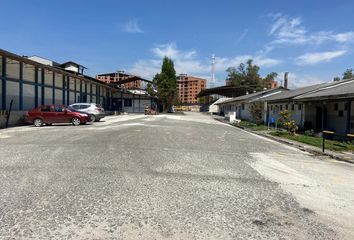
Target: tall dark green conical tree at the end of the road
<point>164,84</point>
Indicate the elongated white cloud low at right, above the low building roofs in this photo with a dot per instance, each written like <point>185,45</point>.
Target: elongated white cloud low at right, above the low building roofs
<point>317,57</point>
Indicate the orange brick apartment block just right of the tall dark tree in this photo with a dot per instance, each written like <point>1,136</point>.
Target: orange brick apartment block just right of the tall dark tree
<point>188,88</point>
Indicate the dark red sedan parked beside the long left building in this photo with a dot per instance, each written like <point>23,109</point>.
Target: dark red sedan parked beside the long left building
<point>49,114</point>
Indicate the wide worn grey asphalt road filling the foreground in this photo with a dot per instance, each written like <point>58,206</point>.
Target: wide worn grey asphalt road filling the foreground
<point>167,177</point>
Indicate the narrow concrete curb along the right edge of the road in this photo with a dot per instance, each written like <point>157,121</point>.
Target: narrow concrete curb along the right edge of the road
<point>311,149</point>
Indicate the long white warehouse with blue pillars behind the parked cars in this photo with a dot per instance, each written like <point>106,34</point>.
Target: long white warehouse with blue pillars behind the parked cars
<point>29,82</point>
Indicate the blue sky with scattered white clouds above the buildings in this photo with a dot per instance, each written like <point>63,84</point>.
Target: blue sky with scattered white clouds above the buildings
<point>312,40</point>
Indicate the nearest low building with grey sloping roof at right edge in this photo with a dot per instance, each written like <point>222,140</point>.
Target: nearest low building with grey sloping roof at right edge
<point>326,106</point>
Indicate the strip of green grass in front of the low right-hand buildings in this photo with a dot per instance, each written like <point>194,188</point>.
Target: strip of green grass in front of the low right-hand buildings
<point>316,141</point>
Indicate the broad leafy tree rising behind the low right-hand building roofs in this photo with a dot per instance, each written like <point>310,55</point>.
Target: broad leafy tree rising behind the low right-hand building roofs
<point>247,75</point>
